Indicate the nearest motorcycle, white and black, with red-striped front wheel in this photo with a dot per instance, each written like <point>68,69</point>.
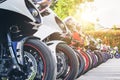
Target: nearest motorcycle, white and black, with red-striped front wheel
<point>23,56</point>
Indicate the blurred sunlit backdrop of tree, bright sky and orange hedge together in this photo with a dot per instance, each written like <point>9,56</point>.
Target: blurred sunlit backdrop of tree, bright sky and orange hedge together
<point>99,18</point>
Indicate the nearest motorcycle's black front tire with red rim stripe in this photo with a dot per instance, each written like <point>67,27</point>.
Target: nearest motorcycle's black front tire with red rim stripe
<point>46,69</point>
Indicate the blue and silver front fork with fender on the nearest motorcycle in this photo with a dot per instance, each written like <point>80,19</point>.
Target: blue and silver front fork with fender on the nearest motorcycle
<point>16,52</point>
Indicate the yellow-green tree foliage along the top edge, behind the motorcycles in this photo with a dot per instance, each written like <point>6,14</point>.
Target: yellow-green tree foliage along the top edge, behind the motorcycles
<point>64,8</point>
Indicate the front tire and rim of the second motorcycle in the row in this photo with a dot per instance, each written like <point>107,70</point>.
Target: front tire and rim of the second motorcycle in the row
<point>71,64</point>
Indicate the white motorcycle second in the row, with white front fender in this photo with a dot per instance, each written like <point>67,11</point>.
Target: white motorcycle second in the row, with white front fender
<point>50,33</point>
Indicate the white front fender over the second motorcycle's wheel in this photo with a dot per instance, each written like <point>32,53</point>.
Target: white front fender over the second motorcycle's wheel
<point>53,45</point>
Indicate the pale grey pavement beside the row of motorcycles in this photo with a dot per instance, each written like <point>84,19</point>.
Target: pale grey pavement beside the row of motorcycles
<point>109,70</point>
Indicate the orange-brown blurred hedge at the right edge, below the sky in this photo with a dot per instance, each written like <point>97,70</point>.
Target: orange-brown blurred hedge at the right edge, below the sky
<point>109,37</point>
